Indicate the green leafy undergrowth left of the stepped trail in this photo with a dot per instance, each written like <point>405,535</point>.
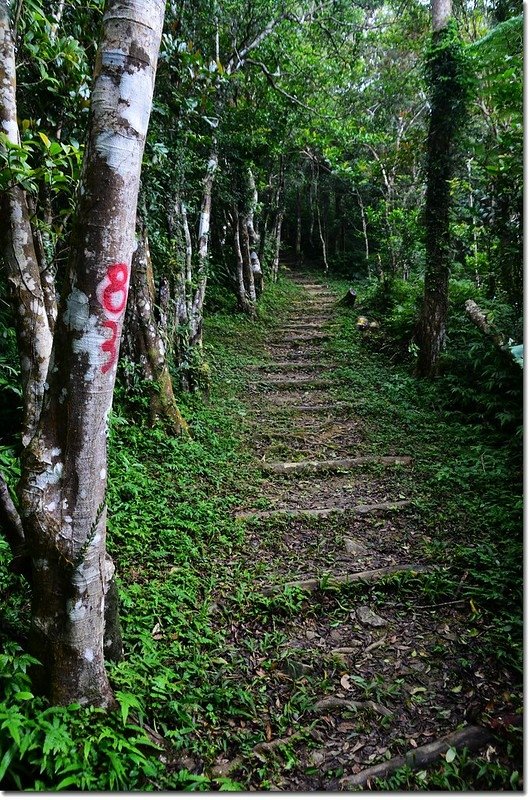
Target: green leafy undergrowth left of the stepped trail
<point>169,509</point>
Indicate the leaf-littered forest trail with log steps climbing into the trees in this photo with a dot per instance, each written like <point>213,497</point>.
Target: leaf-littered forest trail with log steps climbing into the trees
<point>352,675</point>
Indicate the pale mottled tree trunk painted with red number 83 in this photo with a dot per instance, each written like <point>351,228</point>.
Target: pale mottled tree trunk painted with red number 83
<point>64,467</point>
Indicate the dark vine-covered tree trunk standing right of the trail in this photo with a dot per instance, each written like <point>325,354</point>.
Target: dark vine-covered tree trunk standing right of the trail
<point>447,108</point>
